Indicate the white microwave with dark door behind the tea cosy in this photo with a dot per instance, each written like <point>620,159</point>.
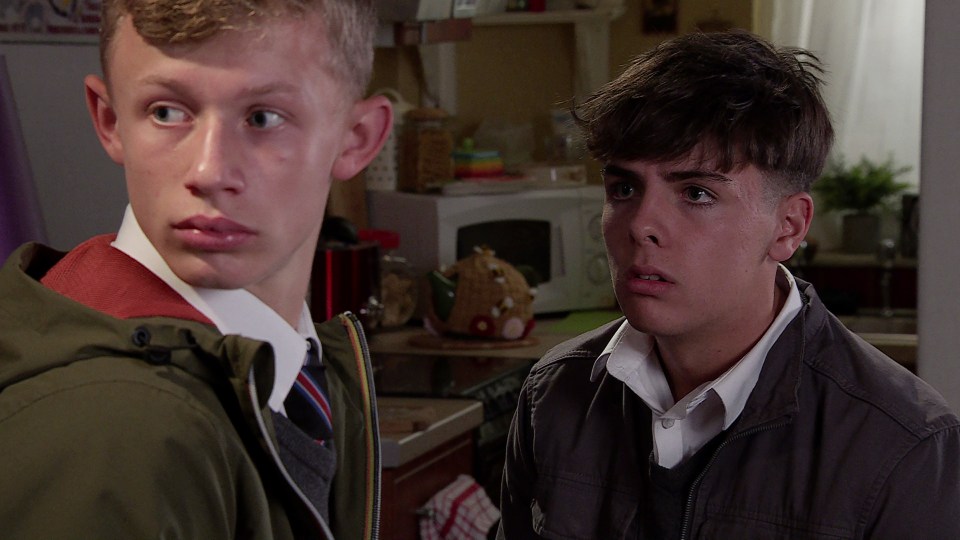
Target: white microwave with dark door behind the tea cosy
<point>554,233</point>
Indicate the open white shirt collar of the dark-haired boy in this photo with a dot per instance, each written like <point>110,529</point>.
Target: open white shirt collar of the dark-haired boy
<point>629,357</point>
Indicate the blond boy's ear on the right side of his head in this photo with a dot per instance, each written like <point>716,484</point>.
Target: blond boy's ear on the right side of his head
<point>372,119</point>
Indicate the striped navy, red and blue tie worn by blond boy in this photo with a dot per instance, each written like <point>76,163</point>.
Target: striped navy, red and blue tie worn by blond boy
<point>307,404</point>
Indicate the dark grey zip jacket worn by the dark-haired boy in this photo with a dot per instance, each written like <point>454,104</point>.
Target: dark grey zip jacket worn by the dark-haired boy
<point>835,441</point>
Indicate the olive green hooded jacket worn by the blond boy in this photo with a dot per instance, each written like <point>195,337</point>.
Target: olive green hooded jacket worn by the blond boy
<point>159,427</point>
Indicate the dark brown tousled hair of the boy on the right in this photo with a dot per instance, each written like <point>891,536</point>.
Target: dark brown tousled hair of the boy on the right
<point>732,94</point>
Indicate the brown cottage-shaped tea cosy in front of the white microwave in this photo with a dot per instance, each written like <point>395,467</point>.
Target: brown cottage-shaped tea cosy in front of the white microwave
<point>480,296</point>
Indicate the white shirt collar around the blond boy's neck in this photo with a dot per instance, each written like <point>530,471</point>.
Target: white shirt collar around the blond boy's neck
<point>234,311</point>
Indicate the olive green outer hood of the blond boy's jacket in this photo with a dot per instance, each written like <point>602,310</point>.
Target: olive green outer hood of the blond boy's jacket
<point>41,329</point>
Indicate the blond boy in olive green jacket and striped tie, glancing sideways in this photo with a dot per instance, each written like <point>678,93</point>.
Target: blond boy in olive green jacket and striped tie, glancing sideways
<point>146,377</point>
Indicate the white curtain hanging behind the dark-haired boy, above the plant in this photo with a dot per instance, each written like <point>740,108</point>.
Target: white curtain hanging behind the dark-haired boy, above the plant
<point>873,53</point>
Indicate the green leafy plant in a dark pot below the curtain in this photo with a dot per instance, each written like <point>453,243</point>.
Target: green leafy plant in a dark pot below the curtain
<point>859,192</point>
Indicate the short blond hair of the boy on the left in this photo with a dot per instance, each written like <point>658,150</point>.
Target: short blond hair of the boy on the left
<point>349,26</point>
